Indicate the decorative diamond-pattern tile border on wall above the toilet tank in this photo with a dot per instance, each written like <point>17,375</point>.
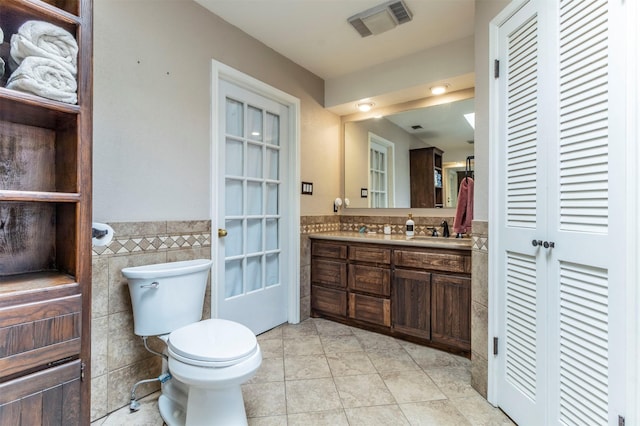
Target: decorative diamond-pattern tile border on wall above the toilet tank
<point>143,237</point>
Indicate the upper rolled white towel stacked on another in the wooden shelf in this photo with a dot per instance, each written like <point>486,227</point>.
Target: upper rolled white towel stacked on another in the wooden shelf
<point>39,38</point>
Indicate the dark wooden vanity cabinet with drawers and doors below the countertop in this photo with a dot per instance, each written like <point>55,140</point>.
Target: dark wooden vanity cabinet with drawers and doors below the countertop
<point>420,294</point>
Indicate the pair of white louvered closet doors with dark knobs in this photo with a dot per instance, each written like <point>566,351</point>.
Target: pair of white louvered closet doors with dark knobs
<point>563,336</point>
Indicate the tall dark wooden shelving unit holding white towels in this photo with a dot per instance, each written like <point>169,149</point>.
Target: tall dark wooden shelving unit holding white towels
<point>45,234</point>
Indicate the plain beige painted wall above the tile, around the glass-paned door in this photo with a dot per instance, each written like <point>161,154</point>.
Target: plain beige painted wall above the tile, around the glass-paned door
<point>152,63</point>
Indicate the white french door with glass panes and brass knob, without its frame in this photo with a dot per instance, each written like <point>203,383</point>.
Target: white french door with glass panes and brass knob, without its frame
<point>251,207</point>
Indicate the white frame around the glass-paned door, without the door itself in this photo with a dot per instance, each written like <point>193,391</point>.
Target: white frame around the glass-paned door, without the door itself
<point>220,71</point>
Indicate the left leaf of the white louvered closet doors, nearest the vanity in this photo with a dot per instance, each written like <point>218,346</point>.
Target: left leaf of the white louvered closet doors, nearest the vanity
<point>522,182</point>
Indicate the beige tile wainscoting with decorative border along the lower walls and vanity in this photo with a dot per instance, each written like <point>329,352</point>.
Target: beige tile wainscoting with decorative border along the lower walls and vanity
<point>118,357</point>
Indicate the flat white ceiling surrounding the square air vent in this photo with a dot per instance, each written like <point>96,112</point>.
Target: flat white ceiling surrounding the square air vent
<point>316,35</point>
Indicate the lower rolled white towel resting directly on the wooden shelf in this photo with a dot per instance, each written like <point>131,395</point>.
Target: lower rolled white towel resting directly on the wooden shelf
<point>44,77</point>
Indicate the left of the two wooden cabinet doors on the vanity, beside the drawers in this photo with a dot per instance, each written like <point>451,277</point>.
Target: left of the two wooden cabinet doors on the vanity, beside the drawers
<point>411,303</point>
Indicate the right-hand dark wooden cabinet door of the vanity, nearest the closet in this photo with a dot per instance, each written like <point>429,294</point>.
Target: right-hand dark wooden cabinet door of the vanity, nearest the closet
<point>451,311</point>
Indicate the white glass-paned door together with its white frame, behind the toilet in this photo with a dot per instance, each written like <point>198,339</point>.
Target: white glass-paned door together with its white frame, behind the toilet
<point>255,208</point>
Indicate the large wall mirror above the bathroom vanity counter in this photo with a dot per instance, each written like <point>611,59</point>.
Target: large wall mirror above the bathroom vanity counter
<point>377,153</point>
